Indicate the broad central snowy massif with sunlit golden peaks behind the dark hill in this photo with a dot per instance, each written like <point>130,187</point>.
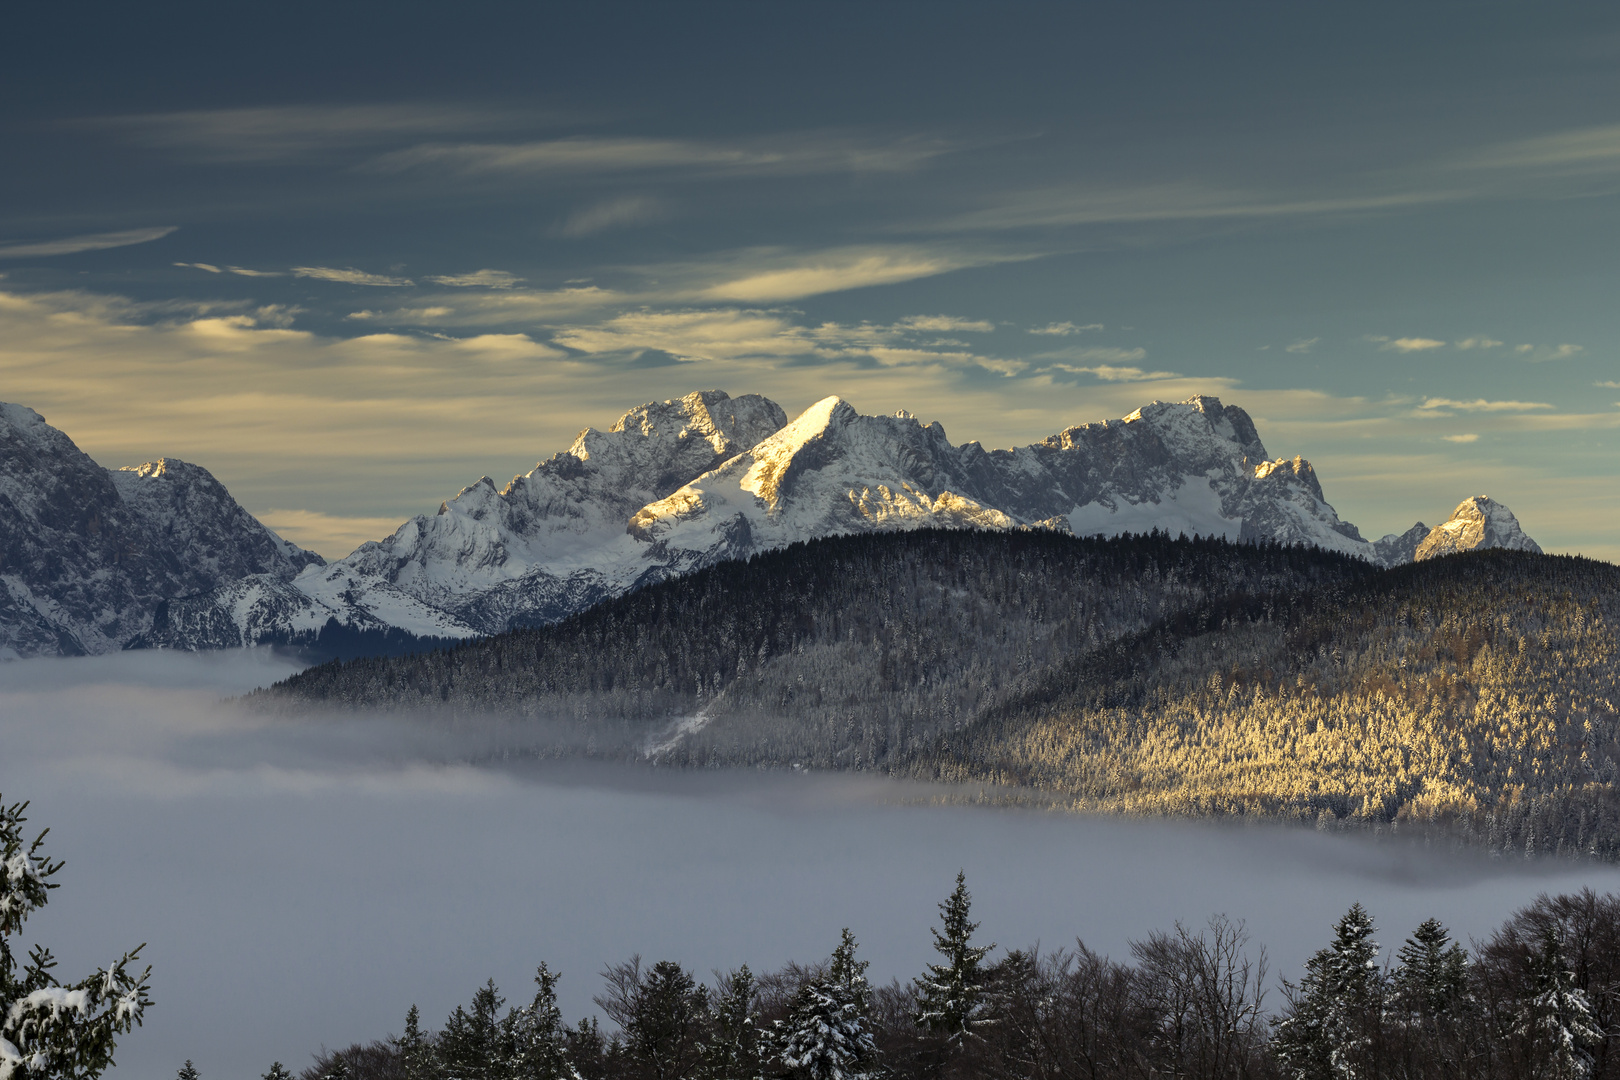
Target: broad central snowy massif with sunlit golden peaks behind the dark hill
<point>680,485</point>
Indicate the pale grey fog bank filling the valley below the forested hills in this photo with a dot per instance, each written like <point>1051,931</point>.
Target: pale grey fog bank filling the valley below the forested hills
<point>302,885</point>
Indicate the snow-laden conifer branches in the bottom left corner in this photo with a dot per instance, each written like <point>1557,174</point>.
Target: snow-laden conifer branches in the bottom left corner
<point>51,1029</point>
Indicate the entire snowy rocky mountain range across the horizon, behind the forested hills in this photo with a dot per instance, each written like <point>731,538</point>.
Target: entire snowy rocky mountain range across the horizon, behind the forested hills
<point>161,556</point>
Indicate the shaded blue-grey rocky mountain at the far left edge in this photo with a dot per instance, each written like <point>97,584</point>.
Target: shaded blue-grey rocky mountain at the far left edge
<point>88,556</point>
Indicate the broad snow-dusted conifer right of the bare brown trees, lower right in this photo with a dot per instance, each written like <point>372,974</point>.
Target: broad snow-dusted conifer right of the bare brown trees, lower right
<point>1328,1034</point>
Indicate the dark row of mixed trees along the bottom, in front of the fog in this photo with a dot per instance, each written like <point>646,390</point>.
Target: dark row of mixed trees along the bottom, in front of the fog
<point>1540,998</point>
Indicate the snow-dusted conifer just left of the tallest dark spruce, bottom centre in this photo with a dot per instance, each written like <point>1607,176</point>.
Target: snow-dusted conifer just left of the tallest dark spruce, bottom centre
<point>827,1034</point>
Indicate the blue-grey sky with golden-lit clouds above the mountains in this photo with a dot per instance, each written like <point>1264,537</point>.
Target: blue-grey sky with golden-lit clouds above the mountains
<point>351,260</point>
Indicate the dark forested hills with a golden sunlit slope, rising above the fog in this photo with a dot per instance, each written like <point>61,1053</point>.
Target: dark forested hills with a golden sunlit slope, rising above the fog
<point>1472,697</point>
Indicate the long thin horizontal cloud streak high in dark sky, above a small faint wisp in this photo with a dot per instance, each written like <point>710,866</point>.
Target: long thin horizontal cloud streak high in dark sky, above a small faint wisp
<point>798,155</point>
